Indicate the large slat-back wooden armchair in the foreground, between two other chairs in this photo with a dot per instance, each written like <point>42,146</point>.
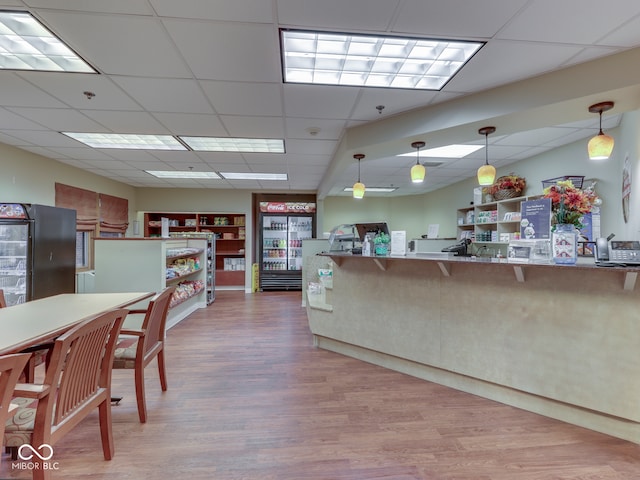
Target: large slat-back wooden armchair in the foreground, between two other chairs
<point>77,381</point>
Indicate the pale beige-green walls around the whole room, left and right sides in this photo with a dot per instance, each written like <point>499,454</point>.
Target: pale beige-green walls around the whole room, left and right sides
<point>27,177</point>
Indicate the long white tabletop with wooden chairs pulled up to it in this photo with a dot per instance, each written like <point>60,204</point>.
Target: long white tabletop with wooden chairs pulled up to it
<point>40,321</point>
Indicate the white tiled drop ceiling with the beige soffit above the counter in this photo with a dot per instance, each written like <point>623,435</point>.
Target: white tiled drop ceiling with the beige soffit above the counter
<point>214,69</point>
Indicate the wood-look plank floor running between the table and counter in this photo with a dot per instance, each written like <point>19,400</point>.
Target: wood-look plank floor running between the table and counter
<point>251,398</point>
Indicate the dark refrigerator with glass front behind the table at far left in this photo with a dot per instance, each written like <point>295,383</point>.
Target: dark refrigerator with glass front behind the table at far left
<point>37,251</point>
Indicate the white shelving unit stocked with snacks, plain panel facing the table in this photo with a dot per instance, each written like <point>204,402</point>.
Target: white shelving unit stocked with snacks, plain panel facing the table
<point>137,265</point>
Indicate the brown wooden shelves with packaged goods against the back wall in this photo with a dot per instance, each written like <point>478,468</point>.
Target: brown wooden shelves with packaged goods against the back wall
<point>230,232</point>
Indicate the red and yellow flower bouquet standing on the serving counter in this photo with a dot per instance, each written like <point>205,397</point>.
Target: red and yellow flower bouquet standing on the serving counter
<point>568,203</point>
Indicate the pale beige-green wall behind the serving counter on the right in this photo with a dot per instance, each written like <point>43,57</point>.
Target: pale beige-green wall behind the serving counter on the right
<point>415,213</point>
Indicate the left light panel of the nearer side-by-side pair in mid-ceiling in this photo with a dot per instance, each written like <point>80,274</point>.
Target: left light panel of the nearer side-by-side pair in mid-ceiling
<point>127,141</point>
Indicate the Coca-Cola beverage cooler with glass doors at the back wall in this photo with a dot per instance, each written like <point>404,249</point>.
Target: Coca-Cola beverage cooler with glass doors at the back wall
<point>283,228</point>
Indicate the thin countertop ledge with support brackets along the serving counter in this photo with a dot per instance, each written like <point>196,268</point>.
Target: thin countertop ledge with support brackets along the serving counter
<point>445,265</point>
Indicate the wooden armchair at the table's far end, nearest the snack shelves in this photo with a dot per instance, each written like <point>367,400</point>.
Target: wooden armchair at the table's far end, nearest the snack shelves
<point>148,343</point>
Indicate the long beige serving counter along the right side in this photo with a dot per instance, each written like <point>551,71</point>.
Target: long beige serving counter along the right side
<point>562,341</point>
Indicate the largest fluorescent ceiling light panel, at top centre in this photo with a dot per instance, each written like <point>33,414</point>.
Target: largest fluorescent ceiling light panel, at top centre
<point>372,61</point>
